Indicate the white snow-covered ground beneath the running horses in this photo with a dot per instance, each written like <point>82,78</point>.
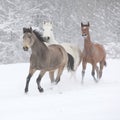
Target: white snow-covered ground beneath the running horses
<point>69,100</point>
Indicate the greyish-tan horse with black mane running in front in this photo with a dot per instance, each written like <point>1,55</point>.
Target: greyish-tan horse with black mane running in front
<point>44,58</point>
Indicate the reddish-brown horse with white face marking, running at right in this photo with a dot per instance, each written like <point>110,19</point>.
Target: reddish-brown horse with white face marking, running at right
<point>92,53</point>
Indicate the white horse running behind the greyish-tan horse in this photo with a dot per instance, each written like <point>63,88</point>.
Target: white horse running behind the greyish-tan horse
<point>73,50</point>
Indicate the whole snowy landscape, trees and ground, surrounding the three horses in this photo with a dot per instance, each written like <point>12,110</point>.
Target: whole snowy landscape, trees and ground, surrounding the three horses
<point>69,100</point>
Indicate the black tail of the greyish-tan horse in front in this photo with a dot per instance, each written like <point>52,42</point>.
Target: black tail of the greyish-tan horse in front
<point>70,64</point>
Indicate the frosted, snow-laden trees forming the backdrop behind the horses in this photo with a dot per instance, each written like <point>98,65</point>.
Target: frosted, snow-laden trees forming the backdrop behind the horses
<point>104,16</point>
